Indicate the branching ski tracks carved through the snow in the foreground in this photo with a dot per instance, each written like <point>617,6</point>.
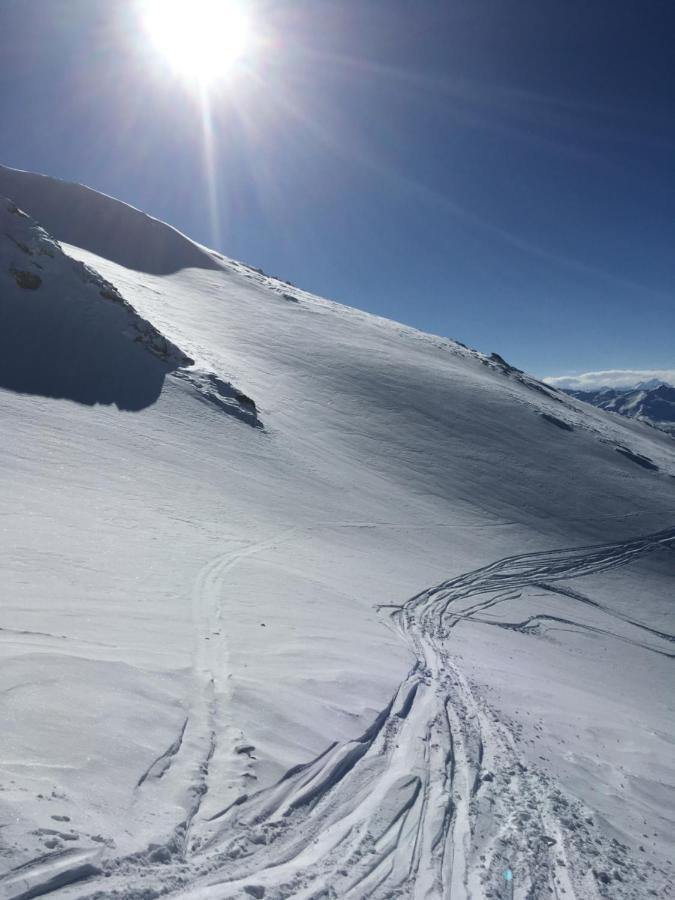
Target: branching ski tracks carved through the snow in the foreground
<point>432,801</point>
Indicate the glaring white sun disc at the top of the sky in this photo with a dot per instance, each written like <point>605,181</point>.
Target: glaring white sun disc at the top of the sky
<point>202,39</point>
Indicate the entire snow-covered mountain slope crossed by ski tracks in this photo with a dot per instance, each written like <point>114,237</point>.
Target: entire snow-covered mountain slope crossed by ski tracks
<point>300,602</point>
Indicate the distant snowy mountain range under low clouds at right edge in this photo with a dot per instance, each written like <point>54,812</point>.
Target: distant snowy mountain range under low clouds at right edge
<point>652,402</point>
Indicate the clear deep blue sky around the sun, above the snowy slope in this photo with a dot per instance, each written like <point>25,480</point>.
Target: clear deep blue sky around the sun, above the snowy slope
<point>498,171</point>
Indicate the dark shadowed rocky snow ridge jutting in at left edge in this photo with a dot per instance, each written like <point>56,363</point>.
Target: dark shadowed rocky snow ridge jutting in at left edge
<point>66,332</point>
